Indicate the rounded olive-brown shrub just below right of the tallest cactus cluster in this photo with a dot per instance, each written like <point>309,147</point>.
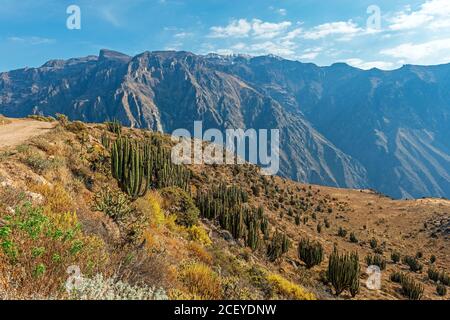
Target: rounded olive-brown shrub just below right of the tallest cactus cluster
<point>178,202</point>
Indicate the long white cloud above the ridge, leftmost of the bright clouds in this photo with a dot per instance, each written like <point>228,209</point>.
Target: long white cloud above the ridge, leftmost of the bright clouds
<point>242,28</point>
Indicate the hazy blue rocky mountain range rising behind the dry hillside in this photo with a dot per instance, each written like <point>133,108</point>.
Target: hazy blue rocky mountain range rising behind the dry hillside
<point>339,126</point>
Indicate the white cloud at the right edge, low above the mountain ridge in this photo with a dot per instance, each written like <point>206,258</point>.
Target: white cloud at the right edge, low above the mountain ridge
<point>430,52</point>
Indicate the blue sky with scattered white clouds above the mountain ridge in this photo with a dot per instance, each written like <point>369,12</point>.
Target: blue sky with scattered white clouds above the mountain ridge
<point>319,31</point>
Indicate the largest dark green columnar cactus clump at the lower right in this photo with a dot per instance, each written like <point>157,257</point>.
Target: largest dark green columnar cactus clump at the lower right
<point>343,272</point>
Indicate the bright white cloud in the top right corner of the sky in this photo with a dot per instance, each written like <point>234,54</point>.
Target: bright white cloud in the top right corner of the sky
<point>433,14</point>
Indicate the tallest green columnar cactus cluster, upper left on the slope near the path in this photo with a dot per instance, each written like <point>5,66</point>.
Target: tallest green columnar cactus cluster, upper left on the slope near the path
<point>139,165</point>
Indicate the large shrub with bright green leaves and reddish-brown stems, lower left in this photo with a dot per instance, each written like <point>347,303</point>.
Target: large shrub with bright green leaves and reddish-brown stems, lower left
<point>37,245</point>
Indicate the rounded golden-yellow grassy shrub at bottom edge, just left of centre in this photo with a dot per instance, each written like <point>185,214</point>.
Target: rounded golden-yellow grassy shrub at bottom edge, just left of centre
<point>201,281</point>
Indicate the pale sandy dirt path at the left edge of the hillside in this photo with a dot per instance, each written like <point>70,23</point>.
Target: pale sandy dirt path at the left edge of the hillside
<point>20,130</point>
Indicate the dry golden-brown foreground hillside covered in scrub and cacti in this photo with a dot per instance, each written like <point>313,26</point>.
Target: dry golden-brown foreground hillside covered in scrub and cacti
<point>61,206</point>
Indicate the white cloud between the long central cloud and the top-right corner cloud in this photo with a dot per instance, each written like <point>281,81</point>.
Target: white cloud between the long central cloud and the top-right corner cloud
<point>346,29</point>
